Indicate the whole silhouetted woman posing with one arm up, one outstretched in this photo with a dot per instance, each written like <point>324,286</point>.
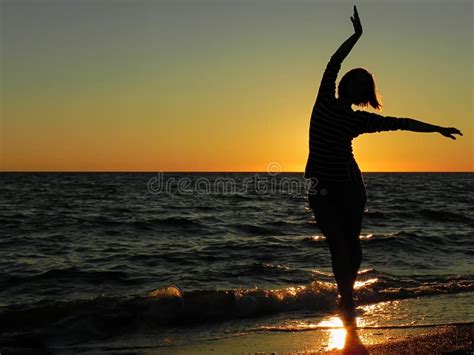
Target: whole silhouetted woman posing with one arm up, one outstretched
<point>337,194</point>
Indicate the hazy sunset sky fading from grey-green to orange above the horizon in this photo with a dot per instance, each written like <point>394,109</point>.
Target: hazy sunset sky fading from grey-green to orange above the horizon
<point>223,85</point>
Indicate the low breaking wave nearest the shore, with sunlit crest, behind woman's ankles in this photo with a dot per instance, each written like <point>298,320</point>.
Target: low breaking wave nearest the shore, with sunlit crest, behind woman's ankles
<point>171,306</point>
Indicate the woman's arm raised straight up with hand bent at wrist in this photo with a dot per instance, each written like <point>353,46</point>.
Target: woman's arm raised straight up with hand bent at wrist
<point>328,82</point>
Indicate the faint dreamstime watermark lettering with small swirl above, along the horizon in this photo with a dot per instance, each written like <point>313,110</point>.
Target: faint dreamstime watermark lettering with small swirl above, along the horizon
<point>271,182</point>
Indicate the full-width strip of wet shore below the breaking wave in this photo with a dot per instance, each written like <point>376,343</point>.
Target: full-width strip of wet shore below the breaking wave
<point>445,339</point>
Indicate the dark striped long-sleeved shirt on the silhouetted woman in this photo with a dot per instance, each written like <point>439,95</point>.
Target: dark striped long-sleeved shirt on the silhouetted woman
<point>332,130</point>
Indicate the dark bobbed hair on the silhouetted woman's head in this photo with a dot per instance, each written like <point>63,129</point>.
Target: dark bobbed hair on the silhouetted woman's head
<point>358,85</point>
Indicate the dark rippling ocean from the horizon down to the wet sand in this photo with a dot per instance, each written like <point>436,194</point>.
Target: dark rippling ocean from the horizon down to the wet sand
<point>117,261</point>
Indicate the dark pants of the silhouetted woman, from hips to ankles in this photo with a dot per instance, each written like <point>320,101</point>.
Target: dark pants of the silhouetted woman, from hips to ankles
<point>338,209</point>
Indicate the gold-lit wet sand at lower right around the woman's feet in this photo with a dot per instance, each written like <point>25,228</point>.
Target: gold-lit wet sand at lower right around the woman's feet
<point>452,339</point>
